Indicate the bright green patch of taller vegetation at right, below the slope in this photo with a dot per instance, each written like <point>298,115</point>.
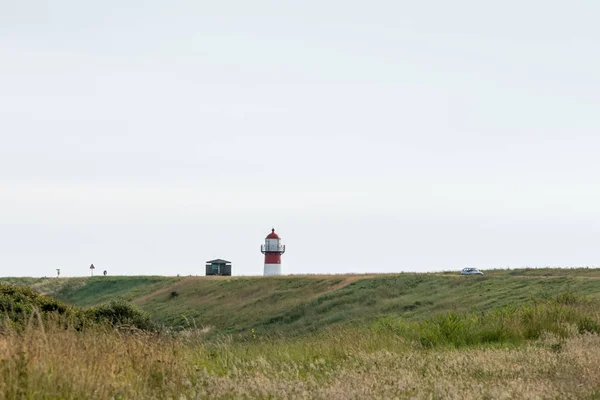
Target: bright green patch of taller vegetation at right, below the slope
<point>507,325</point>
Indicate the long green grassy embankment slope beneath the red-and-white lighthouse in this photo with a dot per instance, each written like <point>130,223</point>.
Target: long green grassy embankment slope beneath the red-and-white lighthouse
<point>293,305</point>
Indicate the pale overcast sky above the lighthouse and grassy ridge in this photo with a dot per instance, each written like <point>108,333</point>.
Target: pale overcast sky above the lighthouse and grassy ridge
<point>147,137</point>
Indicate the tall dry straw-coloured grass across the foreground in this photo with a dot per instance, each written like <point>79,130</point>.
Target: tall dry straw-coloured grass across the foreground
<point>47,360</point>
